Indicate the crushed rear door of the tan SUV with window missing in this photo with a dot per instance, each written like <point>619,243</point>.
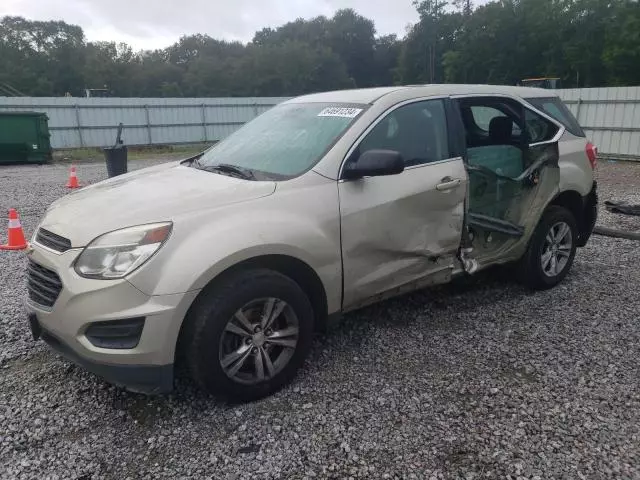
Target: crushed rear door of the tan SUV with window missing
<point>512,162</point>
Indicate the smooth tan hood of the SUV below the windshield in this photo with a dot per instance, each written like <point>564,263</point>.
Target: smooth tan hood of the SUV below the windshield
<point>154,194</point>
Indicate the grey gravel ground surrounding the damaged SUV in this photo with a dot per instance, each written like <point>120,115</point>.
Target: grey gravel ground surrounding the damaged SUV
<point>481,381</point>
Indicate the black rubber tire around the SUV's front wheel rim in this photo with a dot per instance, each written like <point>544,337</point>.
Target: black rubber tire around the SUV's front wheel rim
<point>208,319</point>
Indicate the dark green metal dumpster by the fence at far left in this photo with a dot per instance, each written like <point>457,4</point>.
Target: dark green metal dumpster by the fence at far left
<point>24,137</point>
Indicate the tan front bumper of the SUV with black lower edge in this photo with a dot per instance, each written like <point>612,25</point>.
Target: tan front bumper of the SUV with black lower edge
<point>148,367</point>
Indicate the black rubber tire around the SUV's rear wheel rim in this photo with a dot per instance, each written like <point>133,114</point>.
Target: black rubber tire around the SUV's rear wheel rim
<point>530,266</point>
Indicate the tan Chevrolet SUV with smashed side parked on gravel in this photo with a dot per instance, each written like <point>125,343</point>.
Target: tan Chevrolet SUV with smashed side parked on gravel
<point>323,204</point>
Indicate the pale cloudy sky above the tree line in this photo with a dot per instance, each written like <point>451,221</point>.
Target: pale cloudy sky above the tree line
<point>149,24</point>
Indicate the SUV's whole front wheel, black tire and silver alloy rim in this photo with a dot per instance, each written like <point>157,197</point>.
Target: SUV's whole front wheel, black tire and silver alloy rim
<point>248,335</point>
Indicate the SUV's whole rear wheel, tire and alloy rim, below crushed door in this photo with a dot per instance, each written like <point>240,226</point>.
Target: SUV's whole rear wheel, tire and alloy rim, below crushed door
<point>551,250</point>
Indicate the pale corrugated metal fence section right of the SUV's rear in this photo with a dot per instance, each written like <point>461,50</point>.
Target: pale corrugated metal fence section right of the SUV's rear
<point>610,118</point>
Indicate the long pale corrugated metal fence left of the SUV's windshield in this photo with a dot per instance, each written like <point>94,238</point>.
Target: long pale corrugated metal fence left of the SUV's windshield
<point>93,122</point>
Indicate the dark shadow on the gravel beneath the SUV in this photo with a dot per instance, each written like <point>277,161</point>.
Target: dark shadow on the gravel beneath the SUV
<point>434,308</point>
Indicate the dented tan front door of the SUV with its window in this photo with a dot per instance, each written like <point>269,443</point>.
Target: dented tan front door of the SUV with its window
<point>400,229</point>
